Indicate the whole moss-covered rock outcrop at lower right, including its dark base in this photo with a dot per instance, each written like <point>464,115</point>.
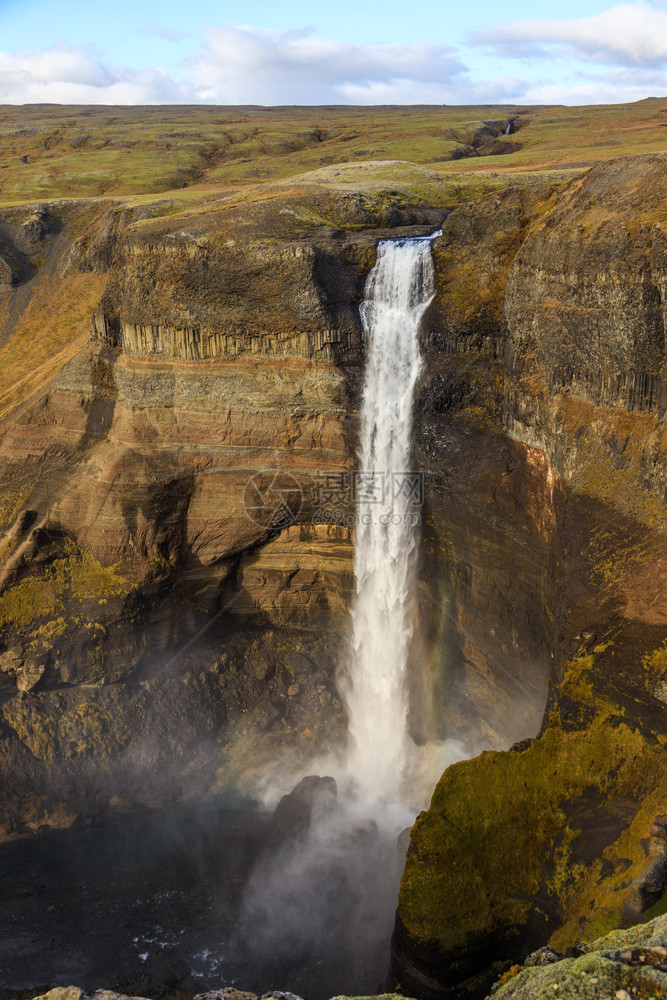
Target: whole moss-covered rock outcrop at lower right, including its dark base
<point>548,842</point>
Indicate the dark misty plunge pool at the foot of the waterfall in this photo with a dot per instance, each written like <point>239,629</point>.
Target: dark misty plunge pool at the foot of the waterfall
<point>211,889</point>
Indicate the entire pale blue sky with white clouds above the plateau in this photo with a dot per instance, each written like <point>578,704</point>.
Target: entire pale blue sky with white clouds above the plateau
<point>344,52</point>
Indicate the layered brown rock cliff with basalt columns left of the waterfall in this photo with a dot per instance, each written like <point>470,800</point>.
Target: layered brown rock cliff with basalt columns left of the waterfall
<point>165,598</point>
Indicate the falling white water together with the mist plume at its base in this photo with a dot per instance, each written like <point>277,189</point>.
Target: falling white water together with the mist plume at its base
<point>332,890</point>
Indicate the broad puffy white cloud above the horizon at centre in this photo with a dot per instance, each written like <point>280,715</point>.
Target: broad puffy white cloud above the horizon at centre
<point>258,66</point>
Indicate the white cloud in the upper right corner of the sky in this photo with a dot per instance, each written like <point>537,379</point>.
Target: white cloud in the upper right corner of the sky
<point>629,34</point>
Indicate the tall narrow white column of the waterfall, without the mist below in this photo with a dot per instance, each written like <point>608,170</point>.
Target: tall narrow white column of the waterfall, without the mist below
<point>398,291</point>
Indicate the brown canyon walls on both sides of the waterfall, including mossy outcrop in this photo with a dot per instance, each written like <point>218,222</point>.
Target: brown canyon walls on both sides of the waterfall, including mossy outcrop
<point>166,630</point>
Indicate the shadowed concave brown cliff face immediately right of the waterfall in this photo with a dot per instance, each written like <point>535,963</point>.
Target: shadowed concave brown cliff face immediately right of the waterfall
<point>486,587</point>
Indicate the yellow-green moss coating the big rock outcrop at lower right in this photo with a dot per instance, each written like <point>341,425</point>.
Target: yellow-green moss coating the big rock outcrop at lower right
<point>499,833</point>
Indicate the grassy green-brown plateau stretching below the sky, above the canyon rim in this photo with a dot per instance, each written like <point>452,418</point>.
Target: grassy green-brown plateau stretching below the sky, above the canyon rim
<point>51,151</point>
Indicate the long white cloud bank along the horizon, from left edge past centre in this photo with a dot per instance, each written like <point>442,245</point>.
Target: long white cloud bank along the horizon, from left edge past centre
<point>242,65</point>
